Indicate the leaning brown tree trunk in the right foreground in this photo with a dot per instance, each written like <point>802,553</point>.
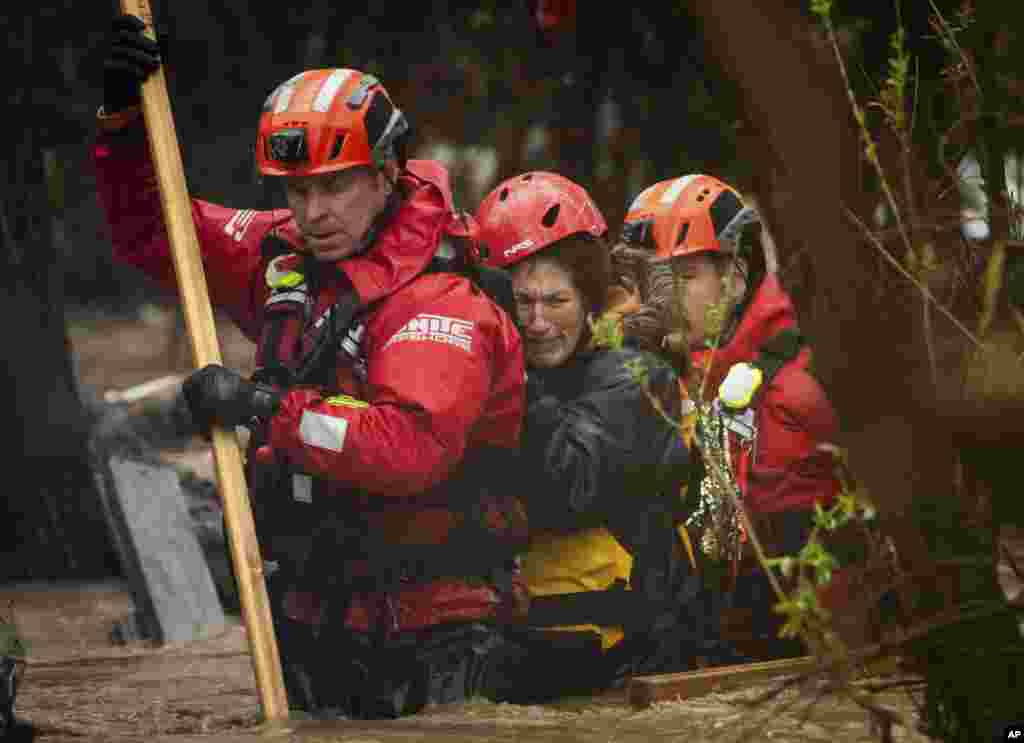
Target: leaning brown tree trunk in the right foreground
<point>904,430</point>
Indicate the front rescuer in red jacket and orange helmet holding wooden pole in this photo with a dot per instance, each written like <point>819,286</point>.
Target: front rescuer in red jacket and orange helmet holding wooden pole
<point>390,388</point>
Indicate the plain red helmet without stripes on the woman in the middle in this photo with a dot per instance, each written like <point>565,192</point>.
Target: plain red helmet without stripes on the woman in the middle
<point>527,213</point>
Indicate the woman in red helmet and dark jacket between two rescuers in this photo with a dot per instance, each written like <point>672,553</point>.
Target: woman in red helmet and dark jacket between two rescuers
<point>602,467</point>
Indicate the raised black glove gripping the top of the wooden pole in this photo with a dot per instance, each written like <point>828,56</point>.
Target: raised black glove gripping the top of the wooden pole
<point>133,58</point>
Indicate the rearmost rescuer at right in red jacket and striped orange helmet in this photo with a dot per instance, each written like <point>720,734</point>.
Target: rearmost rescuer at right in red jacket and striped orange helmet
<point>751,366</point>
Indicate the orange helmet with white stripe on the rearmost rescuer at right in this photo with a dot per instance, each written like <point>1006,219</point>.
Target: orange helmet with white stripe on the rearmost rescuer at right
<point>707,215</point>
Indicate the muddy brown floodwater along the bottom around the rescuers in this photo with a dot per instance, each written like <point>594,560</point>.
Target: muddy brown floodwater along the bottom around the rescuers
<point>79,686</point>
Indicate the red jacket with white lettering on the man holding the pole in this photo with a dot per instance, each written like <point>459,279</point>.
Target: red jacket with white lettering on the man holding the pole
<point>445,367</point>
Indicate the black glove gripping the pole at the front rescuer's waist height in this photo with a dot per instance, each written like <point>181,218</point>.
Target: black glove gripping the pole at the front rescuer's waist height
<point>218,396</point>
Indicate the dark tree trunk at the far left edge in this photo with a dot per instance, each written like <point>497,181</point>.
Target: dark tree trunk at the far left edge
<point>51,520</point>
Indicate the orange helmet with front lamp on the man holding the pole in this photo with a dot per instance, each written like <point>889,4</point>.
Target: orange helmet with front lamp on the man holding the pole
<point>326,120</point>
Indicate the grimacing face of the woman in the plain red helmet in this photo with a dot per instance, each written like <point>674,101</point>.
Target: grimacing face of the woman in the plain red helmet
<point>550,312</point>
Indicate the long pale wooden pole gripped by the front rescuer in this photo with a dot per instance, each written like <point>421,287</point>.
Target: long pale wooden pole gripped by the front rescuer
<point>203,338</point>
